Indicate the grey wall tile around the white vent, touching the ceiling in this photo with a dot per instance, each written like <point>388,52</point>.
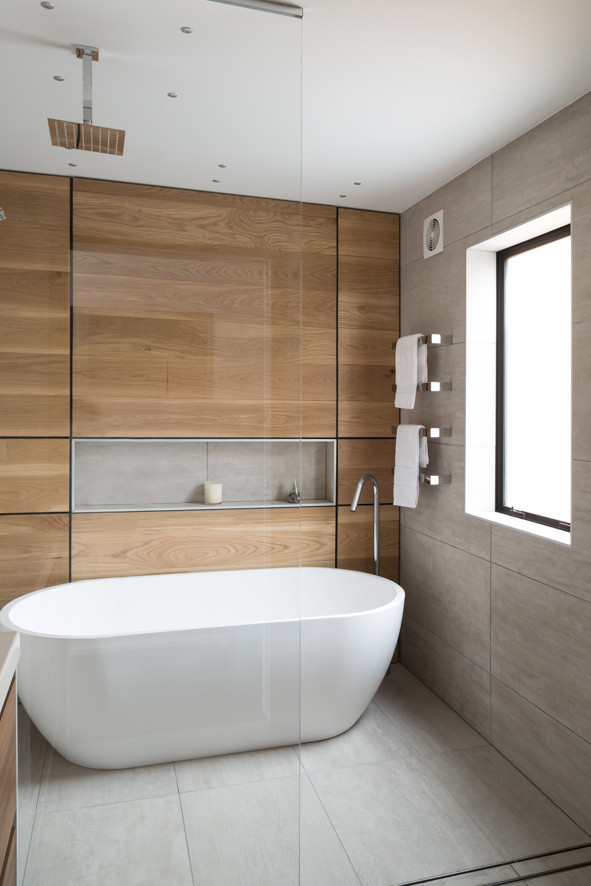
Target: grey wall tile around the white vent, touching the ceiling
<point>466,204</point>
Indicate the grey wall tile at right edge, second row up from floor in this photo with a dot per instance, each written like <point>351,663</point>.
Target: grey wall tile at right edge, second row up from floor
<point>541,647</point>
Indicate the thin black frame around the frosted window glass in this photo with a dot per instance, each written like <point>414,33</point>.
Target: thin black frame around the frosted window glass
<point>502,256</point>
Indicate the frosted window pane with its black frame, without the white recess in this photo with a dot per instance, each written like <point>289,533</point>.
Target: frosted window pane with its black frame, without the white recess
<point>533,420</point>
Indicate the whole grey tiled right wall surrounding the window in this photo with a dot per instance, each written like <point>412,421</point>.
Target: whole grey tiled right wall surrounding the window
<point>498,623</point>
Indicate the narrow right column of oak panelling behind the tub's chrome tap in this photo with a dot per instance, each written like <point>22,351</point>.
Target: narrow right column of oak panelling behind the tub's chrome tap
<point>368,325</point>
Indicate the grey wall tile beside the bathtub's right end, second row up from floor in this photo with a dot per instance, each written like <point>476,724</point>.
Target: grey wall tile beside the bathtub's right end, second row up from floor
<point>448,593</point>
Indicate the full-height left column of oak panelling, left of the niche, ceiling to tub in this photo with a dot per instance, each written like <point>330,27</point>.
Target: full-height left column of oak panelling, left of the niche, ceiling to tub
<point>34,382</point>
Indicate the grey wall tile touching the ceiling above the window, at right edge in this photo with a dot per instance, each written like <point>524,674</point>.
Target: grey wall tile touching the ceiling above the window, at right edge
<point>552,157</point>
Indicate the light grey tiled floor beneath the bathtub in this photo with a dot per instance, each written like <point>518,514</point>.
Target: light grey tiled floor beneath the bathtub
<point>410,792</point>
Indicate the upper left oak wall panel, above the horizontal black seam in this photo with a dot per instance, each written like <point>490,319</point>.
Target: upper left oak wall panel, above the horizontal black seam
<point>35,296</point>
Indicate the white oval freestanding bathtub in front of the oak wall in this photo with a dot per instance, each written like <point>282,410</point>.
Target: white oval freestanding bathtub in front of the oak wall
<point>131,671</point>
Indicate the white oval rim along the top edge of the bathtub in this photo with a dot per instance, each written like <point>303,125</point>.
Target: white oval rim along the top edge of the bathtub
<point>7,624</point>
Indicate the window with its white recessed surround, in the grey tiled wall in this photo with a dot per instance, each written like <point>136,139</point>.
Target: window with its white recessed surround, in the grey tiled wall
<point>535,416</point>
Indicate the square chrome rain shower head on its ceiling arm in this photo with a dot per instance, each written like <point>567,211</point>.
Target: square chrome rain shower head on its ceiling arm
<point>86,136</point>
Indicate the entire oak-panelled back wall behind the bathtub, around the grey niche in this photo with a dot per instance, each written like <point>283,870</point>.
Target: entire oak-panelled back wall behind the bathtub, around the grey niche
<point>187,322</point>
